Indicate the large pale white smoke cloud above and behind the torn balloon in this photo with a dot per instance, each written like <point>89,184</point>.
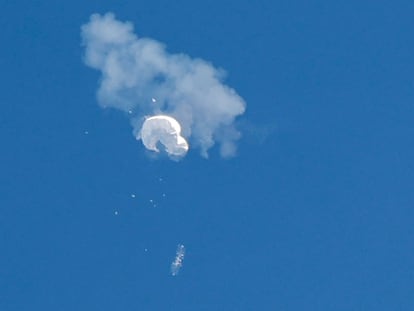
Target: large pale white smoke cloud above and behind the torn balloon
<point>142,79</point>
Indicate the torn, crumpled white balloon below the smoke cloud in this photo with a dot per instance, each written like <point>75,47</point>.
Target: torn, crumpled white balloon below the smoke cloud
<point>165,130</point>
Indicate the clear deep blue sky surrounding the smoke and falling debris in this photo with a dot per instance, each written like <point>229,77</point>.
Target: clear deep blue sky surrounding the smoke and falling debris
<point>314,213</point>
